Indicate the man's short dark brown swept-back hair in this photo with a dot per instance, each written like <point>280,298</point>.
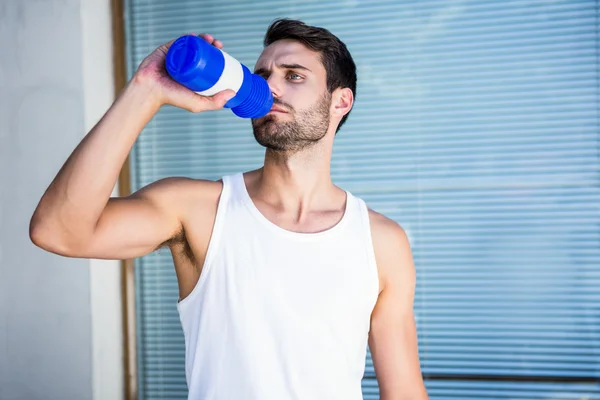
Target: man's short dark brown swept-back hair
<point>338,63</point>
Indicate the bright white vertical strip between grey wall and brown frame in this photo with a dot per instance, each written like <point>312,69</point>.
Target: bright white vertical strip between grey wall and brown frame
<point>105,282</point>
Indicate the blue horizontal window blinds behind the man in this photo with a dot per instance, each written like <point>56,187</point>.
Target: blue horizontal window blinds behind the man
<point>475,128</point>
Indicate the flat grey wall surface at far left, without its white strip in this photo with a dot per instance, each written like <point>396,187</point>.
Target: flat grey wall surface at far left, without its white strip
<point>45,318</point>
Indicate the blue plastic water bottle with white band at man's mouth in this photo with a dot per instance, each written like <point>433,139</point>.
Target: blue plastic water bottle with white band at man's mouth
<point>207,70</point>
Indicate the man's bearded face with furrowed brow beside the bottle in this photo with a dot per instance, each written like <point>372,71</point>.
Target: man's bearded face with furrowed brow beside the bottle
<point>300,115</point>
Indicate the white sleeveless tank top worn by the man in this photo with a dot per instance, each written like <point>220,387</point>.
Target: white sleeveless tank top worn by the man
<point>277,314</point>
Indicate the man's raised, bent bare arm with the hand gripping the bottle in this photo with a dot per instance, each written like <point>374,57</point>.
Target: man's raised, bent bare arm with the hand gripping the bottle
<point>76,216</point>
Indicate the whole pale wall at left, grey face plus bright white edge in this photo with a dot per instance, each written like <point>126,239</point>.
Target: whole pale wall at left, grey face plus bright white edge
<point>60,319</point>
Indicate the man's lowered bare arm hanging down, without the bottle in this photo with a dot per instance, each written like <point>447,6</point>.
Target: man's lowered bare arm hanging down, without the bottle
<point>393,336</point>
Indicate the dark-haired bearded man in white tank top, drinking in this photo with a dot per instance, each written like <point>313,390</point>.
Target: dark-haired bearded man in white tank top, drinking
<point>283,277</point>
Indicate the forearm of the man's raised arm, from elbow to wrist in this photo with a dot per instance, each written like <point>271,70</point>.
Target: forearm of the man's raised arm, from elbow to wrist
<point>78,194</point>
